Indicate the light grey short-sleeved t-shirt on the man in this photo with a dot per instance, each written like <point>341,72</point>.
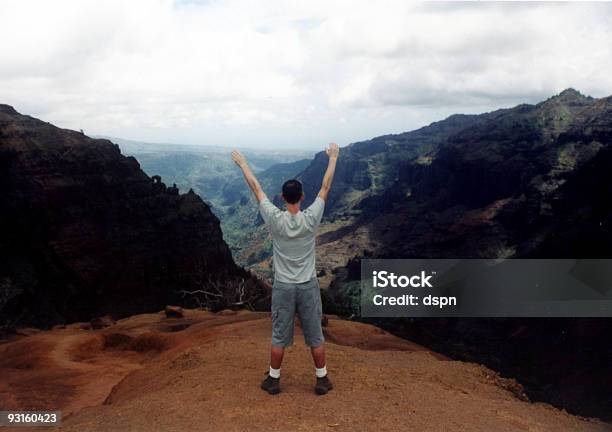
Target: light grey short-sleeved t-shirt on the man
<point>293,240</point>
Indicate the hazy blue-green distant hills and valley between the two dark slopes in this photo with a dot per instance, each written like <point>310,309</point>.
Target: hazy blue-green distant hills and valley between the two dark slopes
<point>210,172</point>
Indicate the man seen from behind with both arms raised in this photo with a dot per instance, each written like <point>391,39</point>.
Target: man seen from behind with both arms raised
<point>296,288</point>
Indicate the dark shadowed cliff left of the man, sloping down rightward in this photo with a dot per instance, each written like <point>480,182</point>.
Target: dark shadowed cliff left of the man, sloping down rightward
<point>84,231</point>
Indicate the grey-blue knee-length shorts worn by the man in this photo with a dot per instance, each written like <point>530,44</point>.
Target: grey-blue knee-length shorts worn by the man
<point>303,298</point>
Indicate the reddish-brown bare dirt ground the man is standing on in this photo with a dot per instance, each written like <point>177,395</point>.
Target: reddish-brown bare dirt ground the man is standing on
<point>202,372</point>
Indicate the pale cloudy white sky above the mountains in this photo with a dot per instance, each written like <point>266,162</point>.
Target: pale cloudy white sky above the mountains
<point>265,73</point>
